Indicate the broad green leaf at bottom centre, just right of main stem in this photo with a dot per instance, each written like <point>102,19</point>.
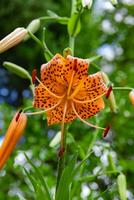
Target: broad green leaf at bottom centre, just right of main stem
<point>65,181</point>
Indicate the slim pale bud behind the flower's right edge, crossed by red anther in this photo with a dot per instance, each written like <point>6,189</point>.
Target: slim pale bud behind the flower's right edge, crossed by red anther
<point>111,98</point>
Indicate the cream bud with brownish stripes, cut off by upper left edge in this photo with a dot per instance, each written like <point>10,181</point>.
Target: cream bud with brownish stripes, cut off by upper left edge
<point>12,39</point>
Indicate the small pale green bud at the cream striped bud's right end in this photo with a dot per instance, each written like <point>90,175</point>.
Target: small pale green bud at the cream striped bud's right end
<point>33,27</point>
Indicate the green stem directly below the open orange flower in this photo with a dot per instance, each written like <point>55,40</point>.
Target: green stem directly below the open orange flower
<point>61,160</point>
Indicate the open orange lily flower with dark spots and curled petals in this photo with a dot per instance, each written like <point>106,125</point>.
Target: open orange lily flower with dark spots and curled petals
<point>66,91</point>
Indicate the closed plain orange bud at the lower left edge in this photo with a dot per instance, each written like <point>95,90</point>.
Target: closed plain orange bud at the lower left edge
<point>12,136</point>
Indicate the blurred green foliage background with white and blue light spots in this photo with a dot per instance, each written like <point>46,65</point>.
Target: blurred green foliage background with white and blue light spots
<point>106,30</point>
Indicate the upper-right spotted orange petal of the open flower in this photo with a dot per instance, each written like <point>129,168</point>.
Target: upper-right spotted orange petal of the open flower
<point>93,87</point>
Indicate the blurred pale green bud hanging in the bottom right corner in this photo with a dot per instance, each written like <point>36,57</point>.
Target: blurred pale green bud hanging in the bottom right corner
<point>122,186</point>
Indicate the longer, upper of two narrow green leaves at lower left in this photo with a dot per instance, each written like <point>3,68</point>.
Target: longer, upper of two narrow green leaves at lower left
<point>40,177</point>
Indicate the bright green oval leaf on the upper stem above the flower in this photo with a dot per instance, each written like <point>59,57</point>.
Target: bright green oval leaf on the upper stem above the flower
<point>74,25</point>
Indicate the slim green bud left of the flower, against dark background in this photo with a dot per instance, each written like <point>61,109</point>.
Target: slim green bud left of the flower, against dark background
<point>16,69</point>
